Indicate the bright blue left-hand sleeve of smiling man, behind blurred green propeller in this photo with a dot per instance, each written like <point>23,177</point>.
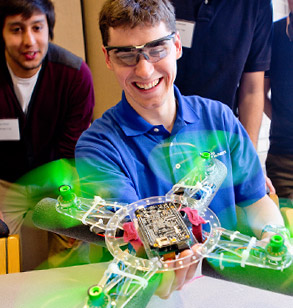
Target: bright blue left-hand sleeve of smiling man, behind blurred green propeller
<point>101,169</point>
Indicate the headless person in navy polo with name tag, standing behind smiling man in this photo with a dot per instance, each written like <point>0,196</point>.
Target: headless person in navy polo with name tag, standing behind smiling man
<point>226,49</point>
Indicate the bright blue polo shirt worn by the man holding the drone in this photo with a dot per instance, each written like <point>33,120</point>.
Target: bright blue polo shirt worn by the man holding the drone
<point>122,157</point>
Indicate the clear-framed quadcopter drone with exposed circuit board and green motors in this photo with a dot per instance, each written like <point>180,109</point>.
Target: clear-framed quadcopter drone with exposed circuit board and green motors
<point>147,236</point>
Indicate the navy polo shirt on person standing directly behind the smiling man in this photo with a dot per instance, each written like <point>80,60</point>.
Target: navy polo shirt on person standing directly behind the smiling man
<point>230,37</point>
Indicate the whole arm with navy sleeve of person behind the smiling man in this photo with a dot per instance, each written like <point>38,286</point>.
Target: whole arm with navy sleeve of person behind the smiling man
<point>251,94</point>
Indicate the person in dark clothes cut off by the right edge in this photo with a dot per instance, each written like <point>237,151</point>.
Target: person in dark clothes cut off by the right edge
<point>279,108</point>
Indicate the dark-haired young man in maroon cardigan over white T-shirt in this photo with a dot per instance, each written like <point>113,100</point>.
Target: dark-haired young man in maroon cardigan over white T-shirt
<point>46,99</point>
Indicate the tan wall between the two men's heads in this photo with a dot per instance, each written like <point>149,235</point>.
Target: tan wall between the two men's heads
<point>87,43</point>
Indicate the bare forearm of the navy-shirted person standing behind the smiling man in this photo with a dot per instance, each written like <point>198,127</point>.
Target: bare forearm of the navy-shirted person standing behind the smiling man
<point>251,103</point>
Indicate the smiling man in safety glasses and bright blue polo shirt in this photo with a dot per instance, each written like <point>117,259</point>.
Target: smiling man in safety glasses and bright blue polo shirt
<point>119,156</point>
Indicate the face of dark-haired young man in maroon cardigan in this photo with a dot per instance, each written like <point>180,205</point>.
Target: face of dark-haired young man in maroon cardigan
<point>26,43</point>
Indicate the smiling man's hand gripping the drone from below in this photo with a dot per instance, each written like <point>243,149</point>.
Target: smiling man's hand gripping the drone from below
<point>175,280</point>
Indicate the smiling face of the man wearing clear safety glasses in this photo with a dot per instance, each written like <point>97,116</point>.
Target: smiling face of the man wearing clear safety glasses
<point>147,86</point>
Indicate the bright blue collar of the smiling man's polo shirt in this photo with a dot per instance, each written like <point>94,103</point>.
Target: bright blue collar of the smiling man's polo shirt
<point>134,125</point>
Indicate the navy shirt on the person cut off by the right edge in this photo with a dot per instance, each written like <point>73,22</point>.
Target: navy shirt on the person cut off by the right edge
<point>281,78</point>
